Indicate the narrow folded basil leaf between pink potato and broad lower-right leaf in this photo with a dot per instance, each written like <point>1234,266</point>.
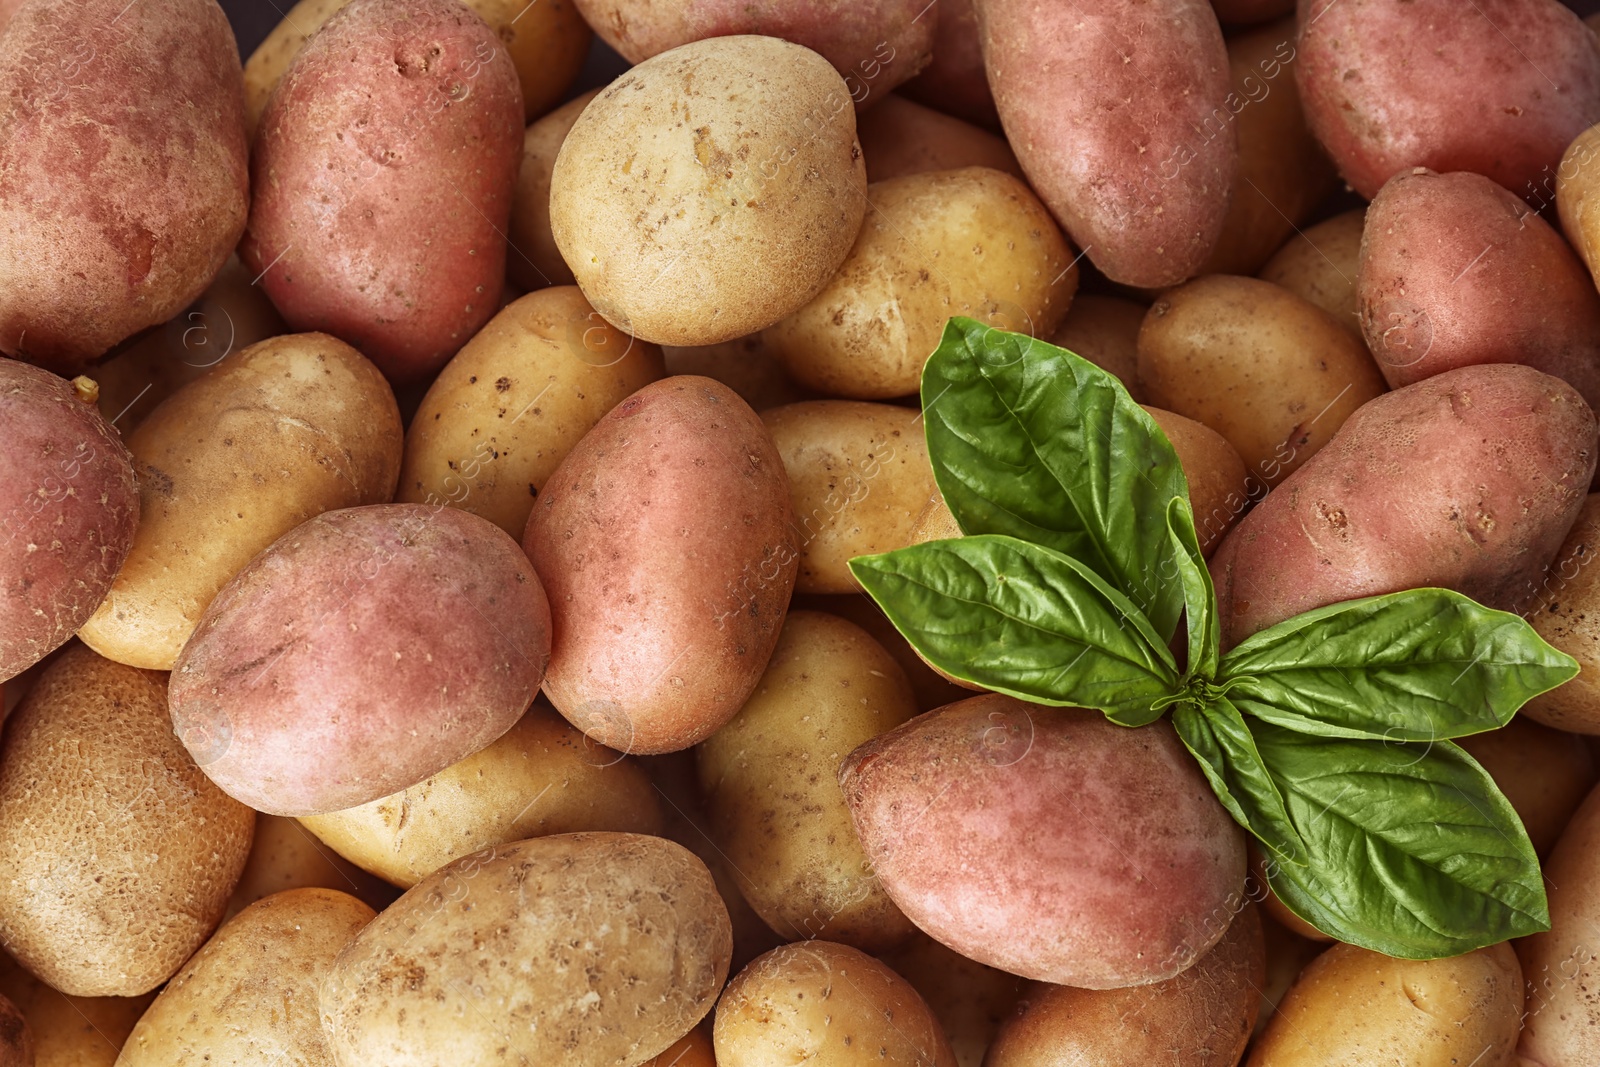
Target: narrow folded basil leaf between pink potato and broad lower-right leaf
<point>1222,741</point>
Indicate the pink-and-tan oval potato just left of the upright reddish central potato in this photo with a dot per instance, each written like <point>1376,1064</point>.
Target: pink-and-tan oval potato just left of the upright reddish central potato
<point>364,652</point>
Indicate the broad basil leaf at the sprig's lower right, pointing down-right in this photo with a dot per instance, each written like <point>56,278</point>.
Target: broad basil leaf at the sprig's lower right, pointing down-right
<point>1412,850</point>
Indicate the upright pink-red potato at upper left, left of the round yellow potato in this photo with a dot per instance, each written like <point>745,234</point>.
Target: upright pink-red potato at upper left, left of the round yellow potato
<point>383,180</point>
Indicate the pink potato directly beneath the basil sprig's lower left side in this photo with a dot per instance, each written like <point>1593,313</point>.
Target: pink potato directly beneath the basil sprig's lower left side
<point>1049,842</point>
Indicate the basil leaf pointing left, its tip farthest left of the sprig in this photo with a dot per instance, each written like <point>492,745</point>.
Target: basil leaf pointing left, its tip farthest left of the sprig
<point>1026,621</point>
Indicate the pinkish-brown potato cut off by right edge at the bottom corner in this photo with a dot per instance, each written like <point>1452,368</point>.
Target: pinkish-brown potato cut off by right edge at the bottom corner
<point>1561,1020</point>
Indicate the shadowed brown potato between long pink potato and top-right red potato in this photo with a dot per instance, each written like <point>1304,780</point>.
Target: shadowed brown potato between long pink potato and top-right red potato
<point>1284,174</point>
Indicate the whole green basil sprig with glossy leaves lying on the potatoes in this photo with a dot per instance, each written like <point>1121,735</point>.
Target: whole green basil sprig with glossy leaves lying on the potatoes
<point>1326,737</point>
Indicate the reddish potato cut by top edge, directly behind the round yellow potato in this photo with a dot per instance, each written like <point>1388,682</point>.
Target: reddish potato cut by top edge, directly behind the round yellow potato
<point>873,44</point>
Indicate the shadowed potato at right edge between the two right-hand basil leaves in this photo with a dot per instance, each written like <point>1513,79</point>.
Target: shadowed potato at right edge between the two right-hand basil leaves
<point>1545,775</point>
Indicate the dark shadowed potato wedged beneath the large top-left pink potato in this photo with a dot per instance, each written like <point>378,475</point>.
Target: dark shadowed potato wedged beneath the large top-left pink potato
<point>230,318</point>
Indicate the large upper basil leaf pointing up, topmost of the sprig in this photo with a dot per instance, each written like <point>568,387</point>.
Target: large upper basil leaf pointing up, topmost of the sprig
<point>1038,444</point>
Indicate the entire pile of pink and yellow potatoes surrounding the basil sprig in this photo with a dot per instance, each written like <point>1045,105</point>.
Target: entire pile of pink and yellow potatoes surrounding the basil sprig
<point>428,484</point>
